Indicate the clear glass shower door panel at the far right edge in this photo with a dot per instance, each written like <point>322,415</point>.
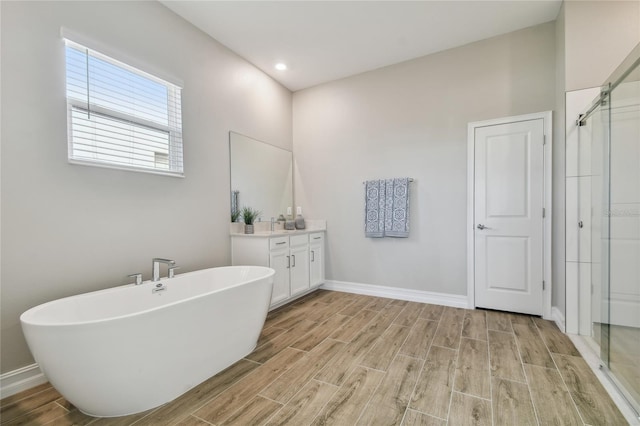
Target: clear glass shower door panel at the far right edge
<point>622,255</point>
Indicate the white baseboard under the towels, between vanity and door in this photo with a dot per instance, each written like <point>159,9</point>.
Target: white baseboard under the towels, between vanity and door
<point>452,300</point>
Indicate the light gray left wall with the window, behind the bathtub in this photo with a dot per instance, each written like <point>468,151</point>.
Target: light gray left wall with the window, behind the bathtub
<point>68,229</point>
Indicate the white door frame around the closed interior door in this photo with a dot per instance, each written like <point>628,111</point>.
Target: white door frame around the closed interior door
<point>546,117</point>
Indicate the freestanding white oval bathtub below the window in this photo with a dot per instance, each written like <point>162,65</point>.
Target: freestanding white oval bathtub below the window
<point>127,349</point>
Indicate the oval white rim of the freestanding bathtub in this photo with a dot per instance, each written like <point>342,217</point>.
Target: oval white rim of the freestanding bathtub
<point>24,317</point>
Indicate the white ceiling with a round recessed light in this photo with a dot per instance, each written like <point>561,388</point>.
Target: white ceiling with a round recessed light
<point>322,41</point>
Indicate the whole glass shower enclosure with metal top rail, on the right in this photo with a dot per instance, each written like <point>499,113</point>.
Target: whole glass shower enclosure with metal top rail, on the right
<point>612,127</point>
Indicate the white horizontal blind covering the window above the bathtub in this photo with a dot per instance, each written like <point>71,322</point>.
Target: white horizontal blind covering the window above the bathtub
<point>121,117</point>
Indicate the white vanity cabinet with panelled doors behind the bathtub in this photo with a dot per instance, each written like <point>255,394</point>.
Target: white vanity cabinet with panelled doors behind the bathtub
<point>298,260</point>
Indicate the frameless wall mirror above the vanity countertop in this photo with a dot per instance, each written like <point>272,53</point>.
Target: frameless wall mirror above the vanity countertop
<point>261,176</point>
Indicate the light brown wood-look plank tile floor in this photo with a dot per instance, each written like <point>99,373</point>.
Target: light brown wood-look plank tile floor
<point>346,359</point>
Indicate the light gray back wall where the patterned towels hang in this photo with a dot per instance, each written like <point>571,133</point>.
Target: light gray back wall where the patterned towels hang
<point>410,119</point>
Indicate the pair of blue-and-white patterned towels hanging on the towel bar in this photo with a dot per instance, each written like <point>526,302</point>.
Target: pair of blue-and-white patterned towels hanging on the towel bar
<point>387,208</point>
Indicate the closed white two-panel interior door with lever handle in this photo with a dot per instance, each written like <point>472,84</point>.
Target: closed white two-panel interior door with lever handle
<point>508,216</point>
